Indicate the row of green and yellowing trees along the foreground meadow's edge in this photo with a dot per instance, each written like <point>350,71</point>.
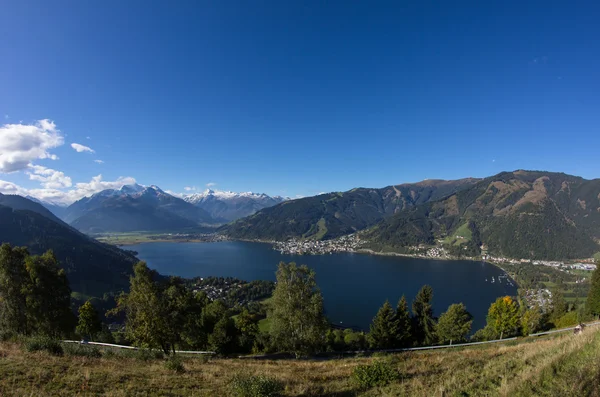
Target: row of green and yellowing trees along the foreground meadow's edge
<point>164,313</point>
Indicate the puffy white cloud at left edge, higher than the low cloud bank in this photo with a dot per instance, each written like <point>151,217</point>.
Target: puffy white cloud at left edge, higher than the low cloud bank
<point>20,144</point>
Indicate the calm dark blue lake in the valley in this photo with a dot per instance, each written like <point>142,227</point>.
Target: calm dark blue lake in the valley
<point>354,286</point>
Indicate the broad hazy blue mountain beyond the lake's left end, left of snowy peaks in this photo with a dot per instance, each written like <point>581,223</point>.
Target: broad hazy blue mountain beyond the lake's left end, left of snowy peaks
<point>134,208</point>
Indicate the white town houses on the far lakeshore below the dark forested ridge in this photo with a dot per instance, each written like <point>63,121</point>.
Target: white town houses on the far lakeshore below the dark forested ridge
<point>349,243</point>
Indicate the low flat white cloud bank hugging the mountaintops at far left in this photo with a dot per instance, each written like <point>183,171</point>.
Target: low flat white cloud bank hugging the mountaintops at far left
<point>65,197</point>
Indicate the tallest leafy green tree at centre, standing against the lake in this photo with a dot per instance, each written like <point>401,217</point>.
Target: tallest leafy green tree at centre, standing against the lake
<point>298,324</point>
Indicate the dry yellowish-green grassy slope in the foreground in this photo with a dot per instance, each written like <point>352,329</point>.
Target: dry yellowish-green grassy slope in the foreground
<point>561,366</point>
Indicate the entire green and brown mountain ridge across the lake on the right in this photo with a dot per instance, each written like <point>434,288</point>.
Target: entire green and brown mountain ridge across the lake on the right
<point>521,214</point>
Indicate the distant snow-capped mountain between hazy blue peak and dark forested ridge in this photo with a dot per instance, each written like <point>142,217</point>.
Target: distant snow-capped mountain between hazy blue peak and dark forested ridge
<point>229,206</point>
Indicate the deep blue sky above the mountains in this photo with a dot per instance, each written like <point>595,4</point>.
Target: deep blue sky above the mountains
<point>295,97</point>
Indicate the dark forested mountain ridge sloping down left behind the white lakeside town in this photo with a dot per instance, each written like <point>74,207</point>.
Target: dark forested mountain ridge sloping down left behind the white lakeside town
<point>335,214</point>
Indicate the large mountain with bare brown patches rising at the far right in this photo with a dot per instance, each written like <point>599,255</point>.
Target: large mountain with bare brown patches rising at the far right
<point>521,214</point>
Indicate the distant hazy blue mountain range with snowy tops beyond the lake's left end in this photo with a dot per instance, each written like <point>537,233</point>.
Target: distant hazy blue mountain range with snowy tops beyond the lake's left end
<point>149,208</point>
